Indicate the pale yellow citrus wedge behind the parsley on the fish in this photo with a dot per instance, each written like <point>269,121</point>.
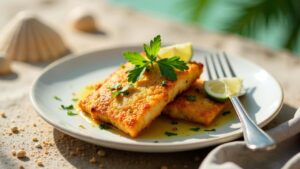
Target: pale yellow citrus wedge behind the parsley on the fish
<point>184,51</point>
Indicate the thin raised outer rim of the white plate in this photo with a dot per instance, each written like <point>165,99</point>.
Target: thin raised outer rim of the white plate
<point>146,145</point>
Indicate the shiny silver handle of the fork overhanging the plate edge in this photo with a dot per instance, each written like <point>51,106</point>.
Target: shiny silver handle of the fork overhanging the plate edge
<point>255,137</point>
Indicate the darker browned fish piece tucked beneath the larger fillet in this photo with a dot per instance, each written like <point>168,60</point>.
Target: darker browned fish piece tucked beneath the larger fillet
<point>193,105</point>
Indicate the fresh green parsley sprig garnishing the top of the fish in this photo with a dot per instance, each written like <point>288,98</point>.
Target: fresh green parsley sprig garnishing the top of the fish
<point>166,66</point>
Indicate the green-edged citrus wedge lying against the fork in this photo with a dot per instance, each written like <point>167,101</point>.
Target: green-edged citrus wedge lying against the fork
<point>222,89</point>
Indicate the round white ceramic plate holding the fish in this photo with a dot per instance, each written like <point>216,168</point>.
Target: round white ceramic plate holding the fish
<point>70,74</point>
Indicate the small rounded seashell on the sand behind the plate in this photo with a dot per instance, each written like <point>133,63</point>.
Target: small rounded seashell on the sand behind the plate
<point>81,19</point>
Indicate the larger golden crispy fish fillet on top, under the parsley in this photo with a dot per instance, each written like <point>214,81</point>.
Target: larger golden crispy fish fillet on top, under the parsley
<point>145,101</point>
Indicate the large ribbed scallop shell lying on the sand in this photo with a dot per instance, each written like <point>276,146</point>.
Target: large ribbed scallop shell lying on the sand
<point>28,39</point>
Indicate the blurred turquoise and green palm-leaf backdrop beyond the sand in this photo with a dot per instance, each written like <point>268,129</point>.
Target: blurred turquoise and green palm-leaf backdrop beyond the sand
<point>272,23</point>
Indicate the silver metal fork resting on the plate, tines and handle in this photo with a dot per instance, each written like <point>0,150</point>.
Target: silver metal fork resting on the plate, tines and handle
<point>255,138</point>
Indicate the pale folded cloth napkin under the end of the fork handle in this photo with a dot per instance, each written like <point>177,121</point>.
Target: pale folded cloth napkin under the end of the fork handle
<point>235,155</point>
